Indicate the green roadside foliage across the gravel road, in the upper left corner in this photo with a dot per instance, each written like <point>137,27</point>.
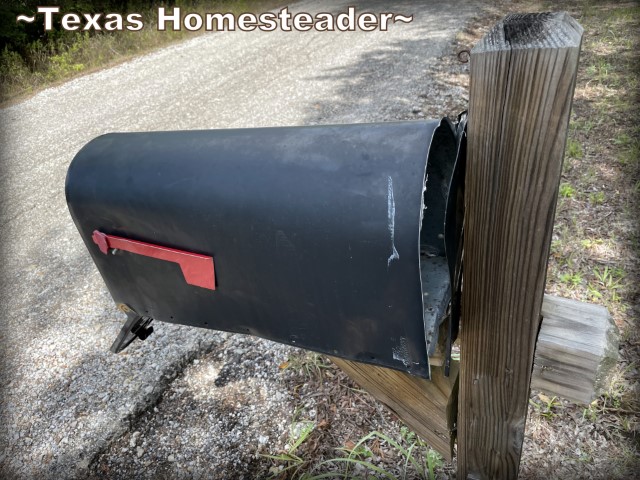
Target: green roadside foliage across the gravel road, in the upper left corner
<point>31,57</point>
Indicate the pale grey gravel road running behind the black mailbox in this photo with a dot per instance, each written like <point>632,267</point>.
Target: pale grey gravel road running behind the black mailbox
<point>65,398</point>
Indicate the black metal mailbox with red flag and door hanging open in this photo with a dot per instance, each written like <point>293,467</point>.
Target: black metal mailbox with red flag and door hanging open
<point>322,237</point>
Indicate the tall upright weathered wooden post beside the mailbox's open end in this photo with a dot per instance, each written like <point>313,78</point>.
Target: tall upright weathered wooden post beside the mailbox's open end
<point>522,80</point>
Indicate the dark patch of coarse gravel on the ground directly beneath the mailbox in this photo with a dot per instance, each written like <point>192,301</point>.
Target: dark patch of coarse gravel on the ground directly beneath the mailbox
<point>213,421</point>
